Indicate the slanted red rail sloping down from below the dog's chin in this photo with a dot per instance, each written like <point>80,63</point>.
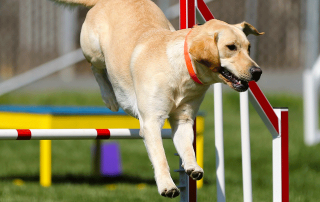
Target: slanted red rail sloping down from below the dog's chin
<point>264,103</point>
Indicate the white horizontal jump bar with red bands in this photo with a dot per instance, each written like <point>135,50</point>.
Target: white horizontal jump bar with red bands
<point>67,134</point>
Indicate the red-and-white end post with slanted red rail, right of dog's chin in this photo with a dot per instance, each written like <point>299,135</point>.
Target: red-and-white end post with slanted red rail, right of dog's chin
<point>276,120</point>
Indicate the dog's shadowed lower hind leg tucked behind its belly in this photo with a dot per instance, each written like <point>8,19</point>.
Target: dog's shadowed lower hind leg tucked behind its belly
<point>106,89</point>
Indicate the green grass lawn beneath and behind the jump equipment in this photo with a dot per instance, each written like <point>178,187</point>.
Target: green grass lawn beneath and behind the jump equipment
<point>71,161</point>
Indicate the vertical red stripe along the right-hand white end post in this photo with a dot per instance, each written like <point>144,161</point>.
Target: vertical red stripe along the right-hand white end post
<point>285,155</point>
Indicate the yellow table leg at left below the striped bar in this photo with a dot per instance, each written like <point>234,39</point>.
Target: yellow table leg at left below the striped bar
<point>45,163</point>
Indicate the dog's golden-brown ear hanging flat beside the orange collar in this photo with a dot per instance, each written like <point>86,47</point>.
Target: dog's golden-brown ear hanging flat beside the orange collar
<point>204,50</point>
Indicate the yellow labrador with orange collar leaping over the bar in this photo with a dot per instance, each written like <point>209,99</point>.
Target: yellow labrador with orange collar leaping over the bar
<point>139,62</point>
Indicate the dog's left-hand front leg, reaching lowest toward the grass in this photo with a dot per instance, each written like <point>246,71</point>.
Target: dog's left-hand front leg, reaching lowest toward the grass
<point>151,133</point>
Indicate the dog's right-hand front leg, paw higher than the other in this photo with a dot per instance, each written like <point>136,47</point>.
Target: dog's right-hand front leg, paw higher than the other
<point>182,130</point>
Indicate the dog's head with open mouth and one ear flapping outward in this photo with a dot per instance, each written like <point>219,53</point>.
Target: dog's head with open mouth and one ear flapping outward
<point>222,51</point>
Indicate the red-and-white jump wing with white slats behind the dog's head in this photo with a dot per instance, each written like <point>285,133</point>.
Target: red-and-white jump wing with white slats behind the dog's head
<point>276,120</point>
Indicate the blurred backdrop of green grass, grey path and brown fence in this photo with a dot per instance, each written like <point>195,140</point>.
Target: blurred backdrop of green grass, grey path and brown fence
<point>35,32</point>
